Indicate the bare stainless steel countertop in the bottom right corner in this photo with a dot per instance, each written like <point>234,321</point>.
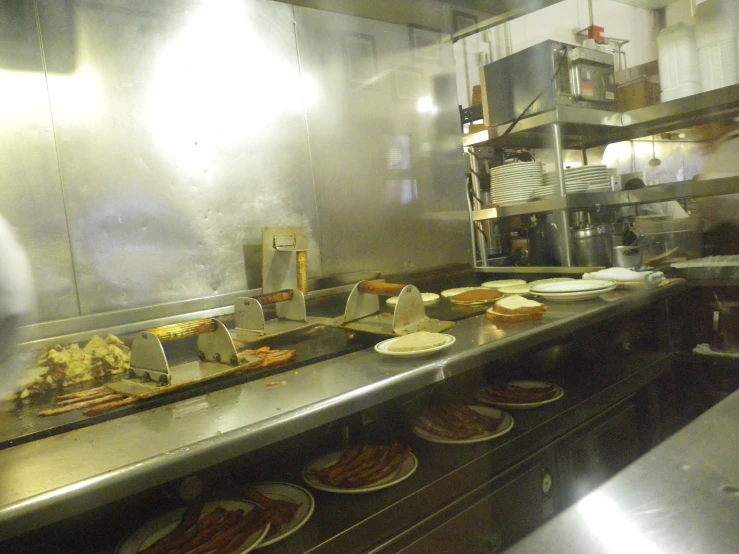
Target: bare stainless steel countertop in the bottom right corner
<point>680,498</point>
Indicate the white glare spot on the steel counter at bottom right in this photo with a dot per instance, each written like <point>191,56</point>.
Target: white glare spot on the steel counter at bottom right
<point>612,528</point>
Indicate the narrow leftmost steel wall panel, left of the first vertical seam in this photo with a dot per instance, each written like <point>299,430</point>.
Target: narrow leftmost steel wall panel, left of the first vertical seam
<point>30,191</point>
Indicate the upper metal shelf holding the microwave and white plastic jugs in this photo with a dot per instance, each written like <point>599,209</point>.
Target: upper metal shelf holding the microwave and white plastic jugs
<point>587,128</point>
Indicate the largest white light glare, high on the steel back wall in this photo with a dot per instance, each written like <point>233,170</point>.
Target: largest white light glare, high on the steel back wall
<point>219,83</point>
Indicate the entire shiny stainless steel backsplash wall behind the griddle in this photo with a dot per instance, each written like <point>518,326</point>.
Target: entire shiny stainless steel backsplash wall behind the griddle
<point>159,138</point>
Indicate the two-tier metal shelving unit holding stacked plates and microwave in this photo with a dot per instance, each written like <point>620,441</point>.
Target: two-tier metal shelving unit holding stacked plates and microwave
<point>571,127</point>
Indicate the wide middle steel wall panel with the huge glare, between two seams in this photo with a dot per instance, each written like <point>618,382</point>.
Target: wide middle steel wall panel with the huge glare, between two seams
<point>181,133</point>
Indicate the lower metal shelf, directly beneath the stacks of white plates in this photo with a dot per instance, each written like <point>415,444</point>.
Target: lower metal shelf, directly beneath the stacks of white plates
<point>581,200</point>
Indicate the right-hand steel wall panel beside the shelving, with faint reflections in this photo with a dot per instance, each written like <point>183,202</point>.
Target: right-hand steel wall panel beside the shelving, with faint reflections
<point>385,143</point>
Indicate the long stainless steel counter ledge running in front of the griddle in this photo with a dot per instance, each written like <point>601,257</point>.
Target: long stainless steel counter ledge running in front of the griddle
<point>50,479</point>
